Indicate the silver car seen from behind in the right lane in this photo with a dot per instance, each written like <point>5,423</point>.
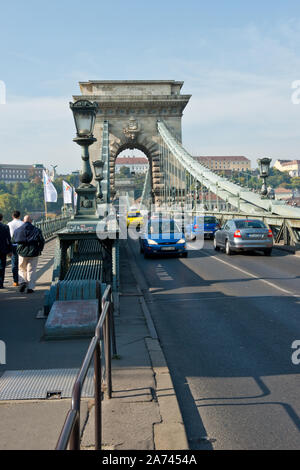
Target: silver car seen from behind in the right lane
<point>244,235</point>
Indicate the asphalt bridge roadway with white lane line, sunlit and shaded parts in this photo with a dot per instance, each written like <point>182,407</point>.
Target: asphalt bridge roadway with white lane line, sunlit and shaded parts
<point>226,326</point>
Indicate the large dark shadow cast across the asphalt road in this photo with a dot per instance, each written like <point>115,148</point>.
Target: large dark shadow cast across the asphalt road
<point>208,336</point>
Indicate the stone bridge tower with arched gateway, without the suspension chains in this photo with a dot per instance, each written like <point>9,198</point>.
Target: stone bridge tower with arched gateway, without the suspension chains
<point>132,109</point>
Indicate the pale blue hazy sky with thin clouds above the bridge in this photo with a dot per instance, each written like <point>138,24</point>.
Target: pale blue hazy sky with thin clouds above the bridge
<point>238,59</point>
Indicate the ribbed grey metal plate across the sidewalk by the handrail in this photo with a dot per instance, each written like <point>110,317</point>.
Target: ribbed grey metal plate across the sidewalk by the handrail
<point>41,384</point>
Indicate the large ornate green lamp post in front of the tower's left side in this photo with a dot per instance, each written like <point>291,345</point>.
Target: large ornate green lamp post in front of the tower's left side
<point>84,113</point>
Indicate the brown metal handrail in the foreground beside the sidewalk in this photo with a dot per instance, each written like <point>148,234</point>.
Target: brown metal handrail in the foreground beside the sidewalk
<point>70,433</point>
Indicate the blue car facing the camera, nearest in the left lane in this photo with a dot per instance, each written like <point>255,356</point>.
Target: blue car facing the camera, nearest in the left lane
<point>162,237</point>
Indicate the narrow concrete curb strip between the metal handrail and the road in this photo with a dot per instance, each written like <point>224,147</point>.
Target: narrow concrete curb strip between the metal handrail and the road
<point>143,412</point>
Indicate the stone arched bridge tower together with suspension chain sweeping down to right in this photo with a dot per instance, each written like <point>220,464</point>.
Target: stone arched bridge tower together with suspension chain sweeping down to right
<point>147,115</point>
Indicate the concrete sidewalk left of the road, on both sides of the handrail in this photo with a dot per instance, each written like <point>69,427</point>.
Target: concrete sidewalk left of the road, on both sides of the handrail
<point>143,412</point>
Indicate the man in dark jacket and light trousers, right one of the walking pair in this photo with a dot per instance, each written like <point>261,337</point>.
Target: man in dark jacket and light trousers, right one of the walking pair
<point>30,243</point>
